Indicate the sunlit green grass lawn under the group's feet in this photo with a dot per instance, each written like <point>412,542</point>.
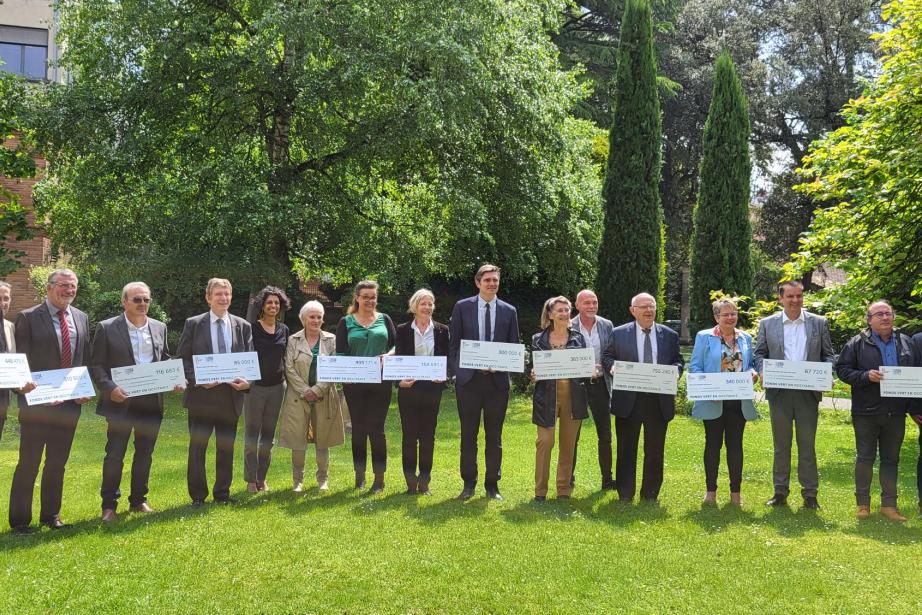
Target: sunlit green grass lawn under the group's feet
<point>347,552</point>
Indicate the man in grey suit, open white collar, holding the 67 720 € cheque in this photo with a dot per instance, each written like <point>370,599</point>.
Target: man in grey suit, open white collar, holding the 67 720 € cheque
<point>793,335</point>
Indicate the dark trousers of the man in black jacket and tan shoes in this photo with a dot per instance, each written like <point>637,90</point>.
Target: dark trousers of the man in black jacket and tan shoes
<point>884,432</point>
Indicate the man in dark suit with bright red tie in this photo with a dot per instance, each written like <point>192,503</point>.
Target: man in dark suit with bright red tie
<point>53,335</point>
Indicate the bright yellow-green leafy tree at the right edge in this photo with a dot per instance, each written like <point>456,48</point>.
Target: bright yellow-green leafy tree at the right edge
<point>869,172</point>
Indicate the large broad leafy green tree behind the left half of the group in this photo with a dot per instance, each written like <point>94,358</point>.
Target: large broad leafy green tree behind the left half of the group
<point>336,139</point>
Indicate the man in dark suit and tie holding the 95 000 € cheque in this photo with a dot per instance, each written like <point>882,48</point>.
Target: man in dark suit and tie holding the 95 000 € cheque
<point>213,407</point>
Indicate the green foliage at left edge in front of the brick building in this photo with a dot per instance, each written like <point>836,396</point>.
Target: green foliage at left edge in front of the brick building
<point>15,162</point>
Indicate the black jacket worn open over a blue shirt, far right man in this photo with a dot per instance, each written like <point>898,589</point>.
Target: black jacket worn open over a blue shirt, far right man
<point>861,355</point>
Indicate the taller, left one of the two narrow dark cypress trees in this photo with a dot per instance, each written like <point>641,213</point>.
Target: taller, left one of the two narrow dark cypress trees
<point>631,258</point>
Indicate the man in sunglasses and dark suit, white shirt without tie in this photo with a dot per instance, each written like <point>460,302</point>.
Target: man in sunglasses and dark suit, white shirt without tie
<point>131,338</point>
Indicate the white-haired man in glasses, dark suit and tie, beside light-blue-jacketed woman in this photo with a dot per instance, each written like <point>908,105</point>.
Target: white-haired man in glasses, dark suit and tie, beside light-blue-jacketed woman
<point>642,341</point>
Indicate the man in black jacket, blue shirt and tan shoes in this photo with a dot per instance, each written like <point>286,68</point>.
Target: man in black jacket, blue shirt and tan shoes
<point>879,422</point>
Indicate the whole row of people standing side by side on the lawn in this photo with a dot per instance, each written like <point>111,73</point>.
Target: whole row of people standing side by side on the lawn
<point>289,397</point>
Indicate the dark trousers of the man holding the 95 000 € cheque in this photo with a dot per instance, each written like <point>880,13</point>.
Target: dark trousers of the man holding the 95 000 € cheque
<point>222,420</point>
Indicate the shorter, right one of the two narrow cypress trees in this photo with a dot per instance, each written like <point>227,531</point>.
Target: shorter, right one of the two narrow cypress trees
<point>722,233</point>
